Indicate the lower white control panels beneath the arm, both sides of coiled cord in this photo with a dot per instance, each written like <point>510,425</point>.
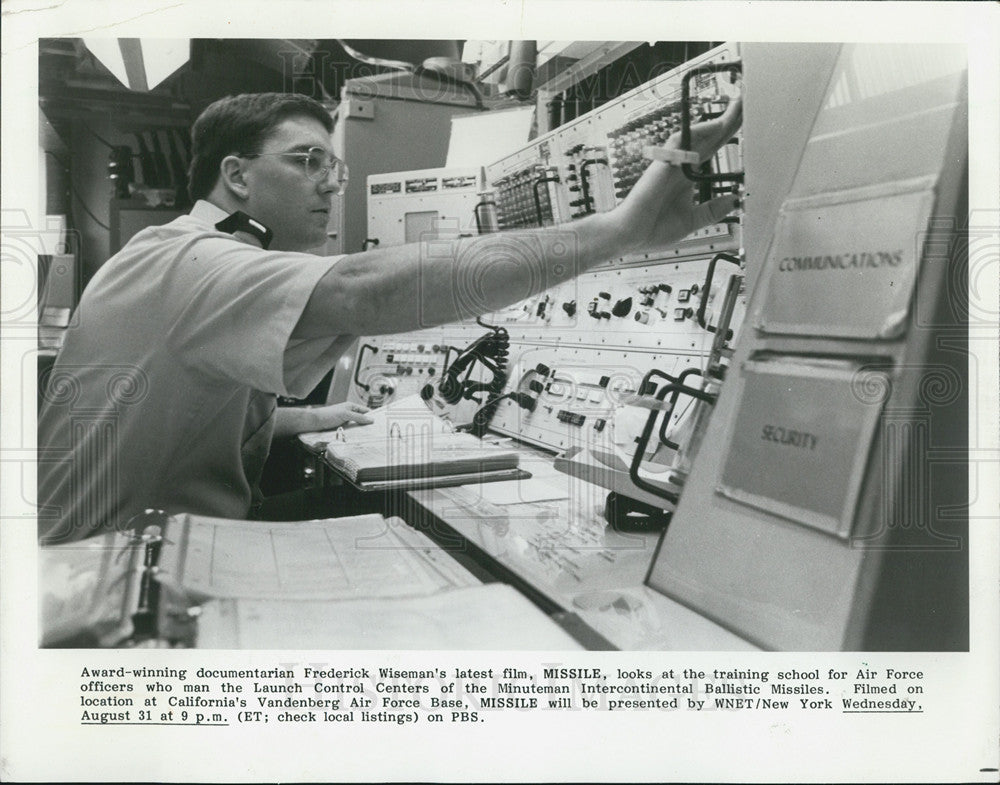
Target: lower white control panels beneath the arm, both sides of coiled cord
<point>578,352</point>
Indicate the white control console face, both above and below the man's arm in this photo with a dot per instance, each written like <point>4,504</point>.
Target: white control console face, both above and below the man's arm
<point>580,358</point>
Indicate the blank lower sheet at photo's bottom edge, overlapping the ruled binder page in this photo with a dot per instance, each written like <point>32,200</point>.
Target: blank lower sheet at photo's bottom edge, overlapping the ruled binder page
<point>492,616</point>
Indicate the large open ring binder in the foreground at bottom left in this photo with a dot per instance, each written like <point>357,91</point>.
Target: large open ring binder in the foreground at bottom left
<point>358,582</point>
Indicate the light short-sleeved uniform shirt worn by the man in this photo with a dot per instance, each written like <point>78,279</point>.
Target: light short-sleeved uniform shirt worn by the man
<point>164,393</point>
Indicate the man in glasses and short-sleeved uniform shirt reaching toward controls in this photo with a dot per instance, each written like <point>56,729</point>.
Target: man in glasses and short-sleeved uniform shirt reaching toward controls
<point>164,394</point>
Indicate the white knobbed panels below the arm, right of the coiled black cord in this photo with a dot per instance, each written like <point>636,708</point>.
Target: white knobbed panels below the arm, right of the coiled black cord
<point>581,350</point>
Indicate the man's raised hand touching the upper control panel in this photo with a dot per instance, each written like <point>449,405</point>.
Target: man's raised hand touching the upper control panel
<point>659,210</point>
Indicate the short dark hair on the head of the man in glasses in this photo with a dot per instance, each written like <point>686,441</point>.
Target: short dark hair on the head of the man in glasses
<point>240,124</point>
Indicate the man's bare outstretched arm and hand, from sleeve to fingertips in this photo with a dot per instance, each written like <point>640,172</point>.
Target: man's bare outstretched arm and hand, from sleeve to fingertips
<point>402,288</point>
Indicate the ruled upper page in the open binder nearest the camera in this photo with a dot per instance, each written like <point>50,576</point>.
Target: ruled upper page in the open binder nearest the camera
<point>359,556</point>
